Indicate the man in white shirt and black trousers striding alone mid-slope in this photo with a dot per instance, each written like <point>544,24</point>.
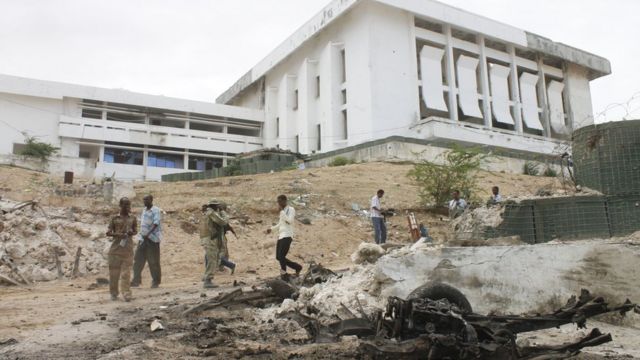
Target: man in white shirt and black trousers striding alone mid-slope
<point>285,228</point>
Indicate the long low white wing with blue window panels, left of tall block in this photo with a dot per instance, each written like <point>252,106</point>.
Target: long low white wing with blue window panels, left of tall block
<point>136,136</point>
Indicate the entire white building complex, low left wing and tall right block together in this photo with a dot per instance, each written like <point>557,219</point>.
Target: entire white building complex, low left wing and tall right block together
<point>358,72</point>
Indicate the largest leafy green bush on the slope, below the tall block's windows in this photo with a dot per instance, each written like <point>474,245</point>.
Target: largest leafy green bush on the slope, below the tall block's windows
<point>436,182</point>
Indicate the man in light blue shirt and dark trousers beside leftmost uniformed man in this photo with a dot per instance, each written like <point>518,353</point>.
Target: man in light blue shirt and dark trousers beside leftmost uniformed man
<point>148,249</point>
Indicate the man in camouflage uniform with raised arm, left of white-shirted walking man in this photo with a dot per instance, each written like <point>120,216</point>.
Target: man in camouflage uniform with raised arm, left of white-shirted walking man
<point>211,237</point>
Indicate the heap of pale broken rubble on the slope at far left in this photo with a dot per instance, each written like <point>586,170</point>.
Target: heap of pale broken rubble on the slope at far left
<point>42,243</point>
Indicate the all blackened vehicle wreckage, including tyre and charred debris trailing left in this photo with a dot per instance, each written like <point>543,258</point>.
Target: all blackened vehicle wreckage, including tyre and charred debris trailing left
<point>436,321</point>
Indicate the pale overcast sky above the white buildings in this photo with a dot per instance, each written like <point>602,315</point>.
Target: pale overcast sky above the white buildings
<point>196,49</point>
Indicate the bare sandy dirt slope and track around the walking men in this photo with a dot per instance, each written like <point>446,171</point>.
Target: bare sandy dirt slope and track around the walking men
<point>63,319</point>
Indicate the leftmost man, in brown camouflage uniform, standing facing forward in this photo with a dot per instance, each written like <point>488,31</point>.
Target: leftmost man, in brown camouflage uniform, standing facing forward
<point>121,228</point>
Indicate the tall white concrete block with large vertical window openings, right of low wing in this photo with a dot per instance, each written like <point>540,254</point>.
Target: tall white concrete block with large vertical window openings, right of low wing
<point>362,70</point>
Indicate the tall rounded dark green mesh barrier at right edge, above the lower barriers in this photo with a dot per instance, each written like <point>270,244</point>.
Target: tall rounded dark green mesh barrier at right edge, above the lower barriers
<point>607,157</point>
